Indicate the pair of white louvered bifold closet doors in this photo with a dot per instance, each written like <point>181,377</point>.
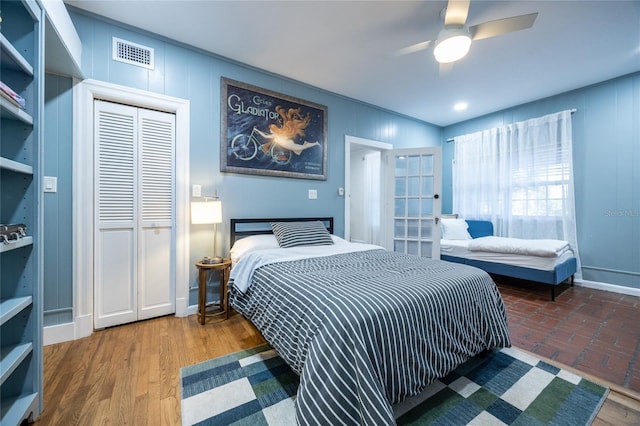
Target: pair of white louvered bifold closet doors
<point>134,222</point>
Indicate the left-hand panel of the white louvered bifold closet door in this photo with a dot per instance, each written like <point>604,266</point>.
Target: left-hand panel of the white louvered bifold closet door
<point>115,289</point>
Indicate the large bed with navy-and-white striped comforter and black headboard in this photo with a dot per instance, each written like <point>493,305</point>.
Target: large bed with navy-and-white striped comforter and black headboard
<point>364,328</point>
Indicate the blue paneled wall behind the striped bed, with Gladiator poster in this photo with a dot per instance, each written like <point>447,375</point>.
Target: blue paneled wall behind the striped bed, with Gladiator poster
<point>187,73</point>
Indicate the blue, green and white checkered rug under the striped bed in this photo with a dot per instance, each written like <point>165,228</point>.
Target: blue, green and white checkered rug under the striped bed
<point>256,387</point>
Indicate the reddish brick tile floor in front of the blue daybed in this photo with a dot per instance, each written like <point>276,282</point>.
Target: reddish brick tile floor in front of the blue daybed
<point>594,331</point>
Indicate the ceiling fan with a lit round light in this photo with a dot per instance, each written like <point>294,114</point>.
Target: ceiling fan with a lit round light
<point>454,40</point>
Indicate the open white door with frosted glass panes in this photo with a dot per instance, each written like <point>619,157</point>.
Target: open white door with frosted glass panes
<point>414,184</point>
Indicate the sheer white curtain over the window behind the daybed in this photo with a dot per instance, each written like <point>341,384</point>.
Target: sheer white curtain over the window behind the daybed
<point>520,177</point>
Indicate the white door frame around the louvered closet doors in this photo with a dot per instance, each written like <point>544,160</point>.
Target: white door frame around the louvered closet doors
<point>84,93</point>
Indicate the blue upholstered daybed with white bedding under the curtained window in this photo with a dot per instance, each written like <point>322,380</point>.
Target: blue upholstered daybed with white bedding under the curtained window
<point>545,261</point>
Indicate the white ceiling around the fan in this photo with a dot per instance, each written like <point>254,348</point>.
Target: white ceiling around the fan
<point>347,47</point>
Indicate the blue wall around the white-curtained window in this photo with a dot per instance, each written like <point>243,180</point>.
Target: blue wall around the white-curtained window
<point>606,155</point>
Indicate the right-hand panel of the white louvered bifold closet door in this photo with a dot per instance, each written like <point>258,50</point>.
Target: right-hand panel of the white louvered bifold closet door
<point>156,285</point>
